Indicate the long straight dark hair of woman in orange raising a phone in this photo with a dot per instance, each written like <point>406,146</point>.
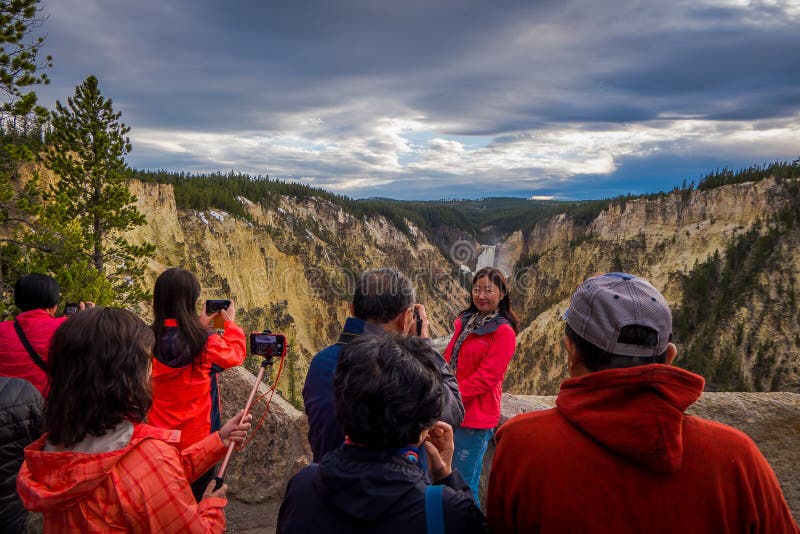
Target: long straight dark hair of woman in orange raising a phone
<point>175,297</point>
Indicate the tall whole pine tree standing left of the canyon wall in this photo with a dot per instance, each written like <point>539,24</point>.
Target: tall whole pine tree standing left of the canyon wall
<point>90,203</point>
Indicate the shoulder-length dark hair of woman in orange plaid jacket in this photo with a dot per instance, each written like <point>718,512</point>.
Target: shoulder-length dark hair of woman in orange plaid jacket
<point>99,369</point>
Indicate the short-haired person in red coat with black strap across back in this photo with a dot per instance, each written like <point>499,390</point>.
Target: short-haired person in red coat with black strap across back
<point>36,295</point>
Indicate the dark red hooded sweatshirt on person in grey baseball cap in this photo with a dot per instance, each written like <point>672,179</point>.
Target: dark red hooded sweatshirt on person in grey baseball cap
<point>618,454</point>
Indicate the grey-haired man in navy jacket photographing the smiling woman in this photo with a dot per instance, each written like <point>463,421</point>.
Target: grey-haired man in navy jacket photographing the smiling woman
<point>383,302</point>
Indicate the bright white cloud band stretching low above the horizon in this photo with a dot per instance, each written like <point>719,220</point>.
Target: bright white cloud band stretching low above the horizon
<point>352,162</point>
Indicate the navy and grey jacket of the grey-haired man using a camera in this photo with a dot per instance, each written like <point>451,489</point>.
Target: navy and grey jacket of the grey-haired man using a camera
<point>324,433</point>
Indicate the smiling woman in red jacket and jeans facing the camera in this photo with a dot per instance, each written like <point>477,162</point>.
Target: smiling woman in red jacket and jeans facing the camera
<point>479,354</point>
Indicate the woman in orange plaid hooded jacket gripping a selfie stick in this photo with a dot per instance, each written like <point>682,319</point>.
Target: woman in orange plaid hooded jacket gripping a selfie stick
<point>99,467</point>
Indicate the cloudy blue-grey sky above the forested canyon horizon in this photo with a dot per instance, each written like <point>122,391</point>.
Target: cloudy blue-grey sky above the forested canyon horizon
<point>430,99</point>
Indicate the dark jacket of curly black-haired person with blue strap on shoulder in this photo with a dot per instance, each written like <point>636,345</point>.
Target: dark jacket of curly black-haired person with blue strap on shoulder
<point>356,489</point>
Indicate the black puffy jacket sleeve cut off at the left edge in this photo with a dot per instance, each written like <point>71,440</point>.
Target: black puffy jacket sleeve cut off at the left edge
<point>20,425</point>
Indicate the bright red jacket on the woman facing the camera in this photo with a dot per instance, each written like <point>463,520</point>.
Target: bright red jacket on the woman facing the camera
<point>482,364</point>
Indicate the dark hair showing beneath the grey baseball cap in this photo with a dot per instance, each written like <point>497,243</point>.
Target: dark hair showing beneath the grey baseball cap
<point>596,359</point>
